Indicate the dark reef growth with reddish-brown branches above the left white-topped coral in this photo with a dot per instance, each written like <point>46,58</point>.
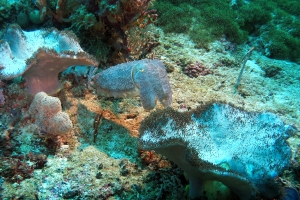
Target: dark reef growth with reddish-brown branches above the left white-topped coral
<point>101,26</point>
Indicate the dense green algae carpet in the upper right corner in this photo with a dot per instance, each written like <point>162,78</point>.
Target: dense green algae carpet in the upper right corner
<point>205,21</point>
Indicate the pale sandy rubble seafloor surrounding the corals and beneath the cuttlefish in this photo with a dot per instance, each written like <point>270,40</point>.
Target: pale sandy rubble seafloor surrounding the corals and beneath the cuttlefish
<point>71,172</point>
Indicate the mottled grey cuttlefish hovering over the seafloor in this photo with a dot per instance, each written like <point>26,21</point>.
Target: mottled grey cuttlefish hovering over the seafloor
<point>147,78</point>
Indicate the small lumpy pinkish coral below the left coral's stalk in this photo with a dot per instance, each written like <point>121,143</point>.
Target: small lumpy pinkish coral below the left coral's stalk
<point>48,115</point>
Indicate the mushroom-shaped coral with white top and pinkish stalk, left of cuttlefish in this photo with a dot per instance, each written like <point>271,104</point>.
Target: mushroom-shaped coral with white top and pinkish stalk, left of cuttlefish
<point>40,56</point>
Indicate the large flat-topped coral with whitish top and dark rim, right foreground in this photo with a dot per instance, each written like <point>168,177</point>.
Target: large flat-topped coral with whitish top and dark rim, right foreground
<point>243,150</point>
